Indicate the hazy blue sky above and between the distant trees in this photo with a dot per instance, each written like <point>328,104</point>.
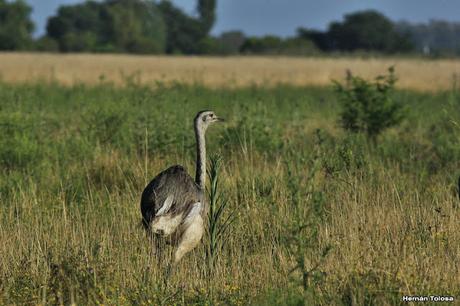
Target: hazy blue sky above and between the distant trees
<point>283,17</point>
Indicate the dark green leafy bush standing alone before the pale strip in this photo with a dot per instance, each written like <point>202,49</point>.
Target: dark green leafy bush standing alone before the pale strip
<point>368,107</point>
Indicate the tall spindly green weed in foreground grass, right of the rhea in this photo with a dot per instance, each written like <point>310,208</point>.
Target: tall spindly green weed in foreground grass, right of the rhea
<point>308,206</point>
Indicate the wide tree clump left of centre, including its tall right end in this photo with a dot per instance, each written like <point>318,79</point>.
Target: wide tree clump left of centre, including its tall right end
<point>136,26</point>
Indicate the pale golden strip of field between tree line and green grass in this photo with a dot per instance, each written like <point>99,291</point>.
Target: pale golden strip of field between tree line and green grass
<point>417,74</point>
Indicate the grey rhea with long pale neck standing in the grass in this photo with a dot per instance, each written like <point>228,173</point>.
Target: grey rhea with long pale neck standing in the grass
<point>173,204</point>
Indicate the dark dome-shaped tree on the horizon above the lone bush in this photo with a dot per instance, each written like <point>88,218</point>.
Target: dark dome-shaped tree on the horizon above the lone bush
<point>367,30</point>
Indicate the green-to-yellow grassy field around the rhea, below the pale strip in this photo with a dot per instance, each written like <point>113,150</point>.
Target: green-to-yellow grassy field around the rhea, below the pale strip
<point>321,215</point>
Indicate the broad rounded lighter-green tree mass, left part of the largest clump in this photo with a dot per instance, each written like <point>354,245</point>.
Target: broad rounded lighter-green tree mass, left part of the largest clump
<point>114,25</point>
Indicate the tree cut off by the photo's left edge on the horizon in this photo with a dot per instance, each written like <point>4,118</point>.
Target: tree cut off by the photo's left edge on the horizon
<point>15,25</point>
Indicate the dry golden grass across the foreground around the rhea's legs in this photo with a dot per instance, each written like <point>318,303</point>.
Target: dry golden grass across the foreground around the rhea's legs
<point>384,236</point>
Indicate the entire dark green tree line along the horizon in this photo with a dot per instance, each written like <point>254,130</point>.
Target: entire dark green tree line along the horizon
<point>158,27</point>
